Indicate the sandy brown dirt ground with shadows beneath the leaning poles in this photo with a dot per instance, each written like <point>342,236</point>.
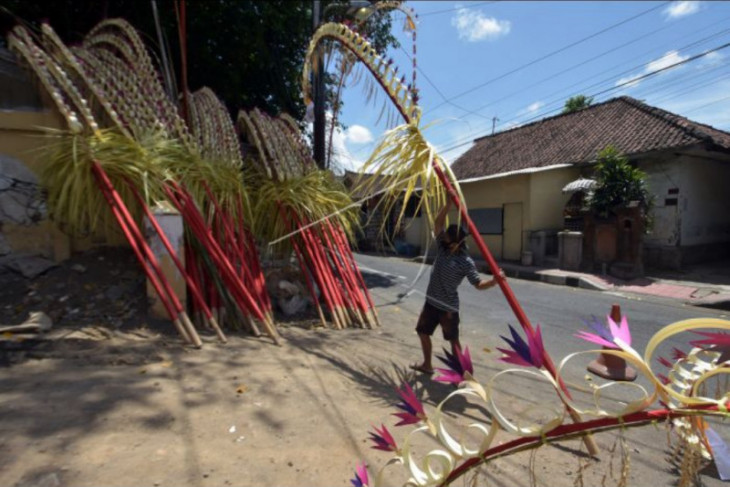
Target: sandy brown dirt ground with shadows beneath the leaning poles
<point>111,398</point>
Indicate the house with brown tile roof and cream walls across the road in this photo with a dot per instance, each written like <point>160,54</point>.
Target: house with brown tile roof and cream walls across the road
<point>513,180</point>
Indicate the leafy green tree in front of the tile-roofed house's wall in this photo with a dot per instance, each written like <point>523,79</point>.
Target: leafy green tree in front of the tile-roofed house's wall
<point>619,185</point>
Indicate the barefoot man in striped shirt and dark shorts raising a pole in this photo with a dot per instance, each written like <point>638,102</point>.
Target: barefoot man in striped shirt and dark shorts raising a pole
<point>452,264</point>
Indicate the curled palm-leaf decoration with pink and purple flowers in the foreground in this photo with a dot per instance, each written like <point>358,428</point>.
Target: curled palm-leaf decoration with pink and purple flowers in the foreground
<point>459,448</point>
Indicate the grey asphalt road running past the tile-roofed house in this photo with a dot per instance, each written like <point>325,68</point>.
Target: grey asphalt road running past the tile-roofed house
<point>560,311</point>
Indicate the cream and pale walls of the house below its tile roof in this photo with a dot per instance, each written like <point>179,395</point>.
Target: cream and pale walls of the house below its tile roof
<point>696,228</point>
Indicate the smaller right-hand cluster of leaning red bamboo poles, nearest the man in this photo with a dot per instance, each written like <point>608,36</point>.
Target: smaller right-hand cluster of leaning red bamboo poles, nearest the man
<point>314,217</point>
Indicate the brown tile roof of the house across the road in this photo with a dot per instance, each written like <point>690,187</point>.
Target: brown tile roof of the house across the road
<point>629,125</point>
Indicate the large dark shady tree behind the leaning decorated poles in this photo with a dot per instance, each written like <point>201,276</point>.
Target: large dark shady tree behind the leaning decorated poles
<point>250,53</point>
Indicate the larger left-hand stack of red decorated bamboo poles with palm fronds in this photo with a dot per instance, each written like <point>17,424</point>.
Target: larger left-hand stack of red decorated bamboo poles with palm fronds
<point>130,149</point>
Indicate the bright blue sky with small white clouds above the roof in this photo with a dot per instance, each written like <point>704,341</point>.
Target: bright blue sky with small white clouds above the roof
<point>520,61</point>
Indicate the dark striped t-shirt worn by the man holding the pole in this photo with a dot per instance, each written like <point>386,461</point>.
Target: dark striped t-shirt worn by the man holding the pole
<point>447,273</point>
